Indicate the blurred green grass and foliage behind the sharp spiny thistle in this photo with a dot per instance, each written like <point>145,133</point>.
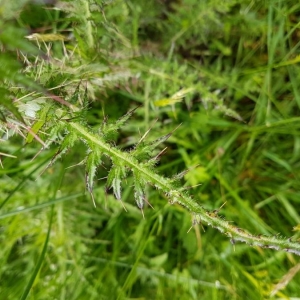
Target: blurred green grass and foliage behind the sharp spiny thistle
<point>226,70</point>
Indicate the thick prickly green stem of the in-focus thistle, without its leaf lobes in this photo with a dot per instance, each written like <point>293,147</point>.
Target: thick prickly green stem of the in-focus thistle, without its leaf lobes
<point>210,218</point>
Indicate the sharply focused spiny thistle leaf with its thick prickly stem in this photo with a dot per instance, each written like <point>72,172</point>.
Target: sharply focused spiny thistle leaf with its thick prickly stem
<point>140,162</point>
